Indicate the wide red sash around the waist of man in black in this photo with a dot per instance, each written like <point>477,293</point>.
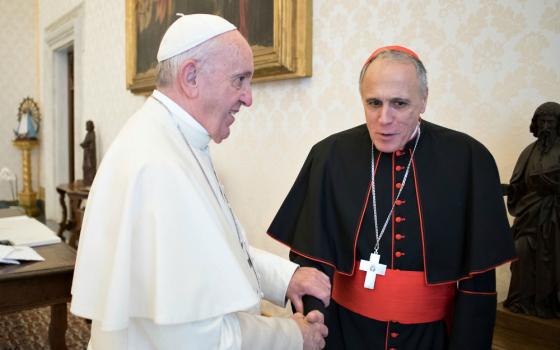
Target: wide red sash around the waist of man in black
<point>399,296</point>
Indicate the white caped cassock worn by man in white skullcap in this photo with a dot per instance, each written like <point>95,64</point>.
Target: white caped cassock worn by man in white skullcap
<point>160,265</point>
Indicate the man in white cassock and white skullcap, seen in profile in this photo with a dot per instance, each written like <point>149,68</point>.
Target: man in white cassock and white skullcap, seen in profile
<point>163,262</point>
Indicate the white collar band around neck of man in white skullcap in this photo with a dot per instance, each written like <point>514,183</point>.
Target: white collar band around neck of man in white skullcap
<point>196,134</point>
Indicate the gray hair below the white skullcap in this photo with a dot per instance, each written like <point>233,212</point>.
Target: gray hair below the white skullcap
<point>166,70</point>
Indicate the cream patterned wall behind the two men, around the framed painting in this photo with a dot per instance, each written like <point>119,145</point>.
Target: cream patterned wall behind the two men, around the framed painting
<point>490,64</point>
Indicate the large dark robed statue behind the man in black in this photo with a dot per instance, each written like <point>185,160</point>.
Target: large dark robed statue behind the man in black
<point>534,201</point>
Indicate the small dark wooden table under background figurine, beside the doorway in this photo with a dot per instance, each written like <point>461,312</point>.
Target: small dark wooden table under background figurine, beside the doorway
<point>72,221</point>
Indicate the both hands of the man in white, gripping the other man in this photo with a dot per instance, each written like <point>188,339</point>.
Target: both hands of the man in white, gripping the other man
<point>310,281</point>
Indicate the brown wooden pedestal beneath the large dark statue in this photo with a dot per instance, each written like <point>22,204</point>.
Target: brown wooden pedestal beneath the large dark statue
<point>520,332</point>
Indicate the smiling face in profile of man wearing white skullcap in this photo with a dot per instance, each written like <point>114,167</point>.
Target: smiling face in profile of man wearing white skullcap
<point>225,85</point>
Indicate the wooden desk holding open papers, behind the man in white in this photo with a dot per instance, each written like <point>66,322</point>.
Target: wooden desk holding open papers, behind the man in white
<point>38,284</point>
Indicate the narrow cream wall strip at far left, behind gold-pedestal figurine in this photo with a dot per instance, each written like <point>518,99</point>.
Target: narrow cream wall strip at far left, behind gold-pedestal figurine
<point>18,72</point>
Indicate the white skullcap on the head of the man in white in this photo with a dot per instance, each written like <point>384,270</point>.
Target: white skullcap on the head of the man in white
<point>189,31</point>
